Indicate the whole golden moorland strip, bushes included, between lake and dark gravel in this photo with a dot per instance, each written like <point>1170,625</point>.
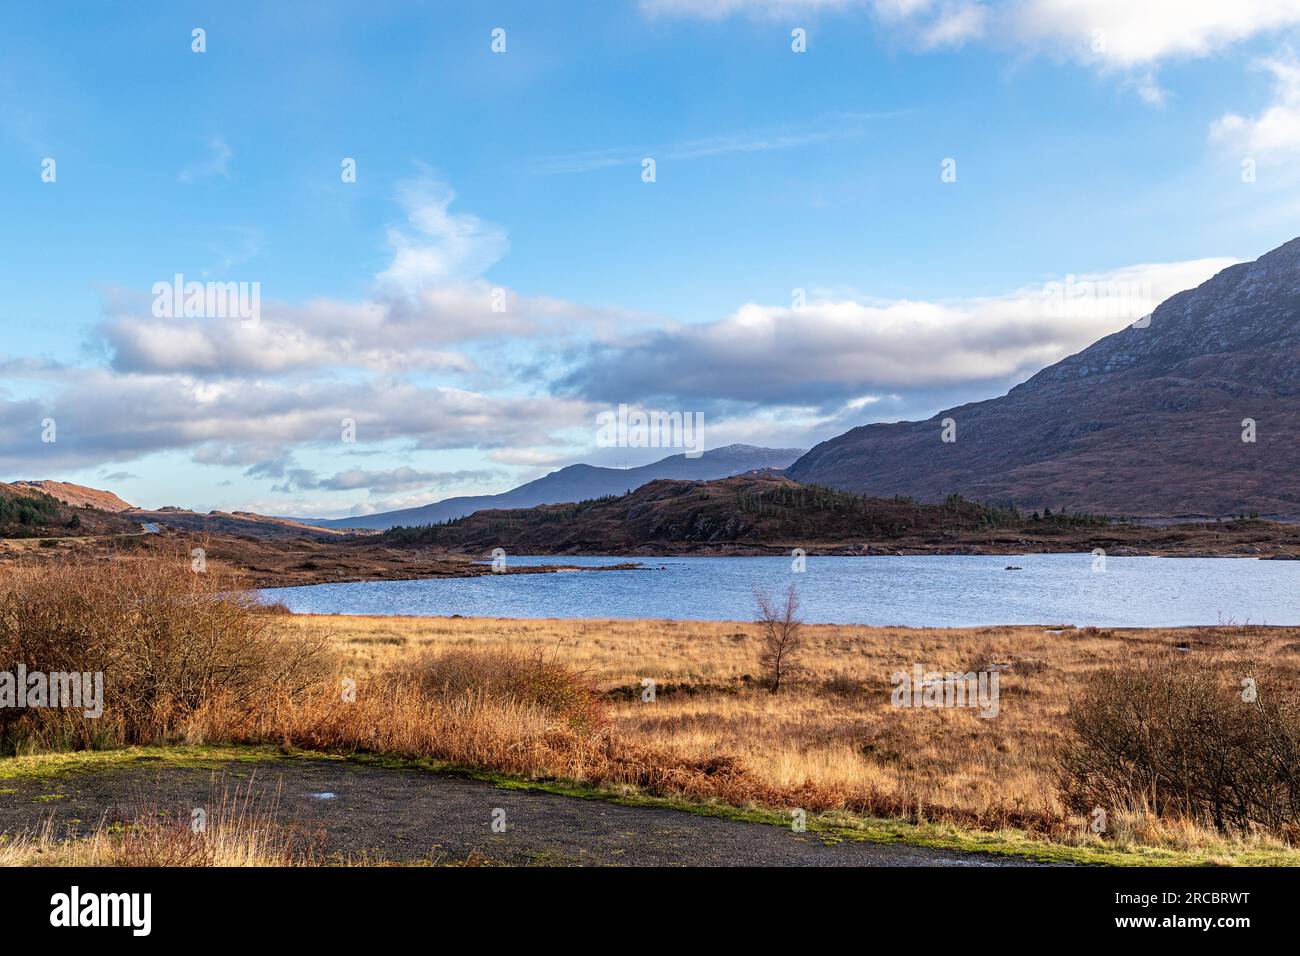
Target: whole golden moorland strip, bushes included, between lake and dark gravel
<point>1154,726</point>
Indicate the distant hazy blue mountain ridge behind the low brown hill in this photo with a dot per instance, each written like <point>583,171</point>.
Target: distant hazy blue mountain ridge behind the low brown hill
<point>578,483</point>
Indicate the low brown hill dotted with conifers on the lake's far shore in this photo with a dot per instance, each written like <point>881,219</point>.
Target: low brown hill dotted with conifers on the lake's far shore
<point>761,513</point>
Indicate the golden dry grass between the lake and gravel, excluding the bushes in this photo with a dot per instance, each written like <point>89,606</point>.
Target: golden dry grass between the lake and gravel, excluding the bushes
<point>835,733</point>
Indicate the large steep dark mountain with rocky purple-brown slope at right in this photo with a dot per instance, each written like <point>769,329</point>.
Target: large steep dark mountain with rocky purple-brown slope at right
<point>1146,422</point>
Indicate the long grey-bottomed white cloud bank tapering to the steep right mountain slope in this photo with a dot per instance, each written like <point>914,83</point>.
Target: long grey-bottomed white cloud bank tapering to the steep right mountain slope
<point>831,353</point>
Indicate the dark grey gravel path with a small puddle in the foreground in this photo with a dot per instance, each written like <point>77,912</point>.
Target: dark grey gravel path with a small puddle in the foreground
<point>406,816</point>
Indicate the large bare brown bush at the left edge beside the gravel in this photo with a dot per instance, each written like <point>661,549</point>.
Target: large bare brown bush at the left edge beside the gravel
<point>170,643</point>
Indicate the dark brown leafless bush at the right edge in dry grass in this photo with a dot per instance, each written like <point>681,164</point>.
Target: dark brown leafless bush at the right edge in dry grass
<point>1188,737</point>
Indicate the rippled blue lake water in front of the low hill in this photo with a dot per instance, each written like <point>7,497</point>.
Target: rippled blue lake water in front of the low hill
<point>933,591</point>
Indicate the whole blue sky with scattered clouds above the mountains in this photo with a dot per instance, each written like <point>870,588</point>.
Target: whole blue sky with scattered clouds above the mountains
<point>1091,140</point>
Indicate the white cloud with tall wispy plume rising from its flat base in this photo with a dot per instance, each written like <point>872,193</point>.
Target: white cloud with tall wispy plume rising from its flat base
<point>428,306</point>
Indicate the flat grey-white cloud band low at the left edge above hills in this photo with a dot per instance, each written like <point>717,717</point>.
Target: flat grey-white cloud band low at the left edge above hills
<point>106,417</point>
